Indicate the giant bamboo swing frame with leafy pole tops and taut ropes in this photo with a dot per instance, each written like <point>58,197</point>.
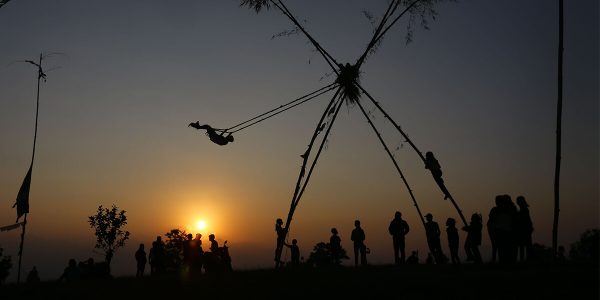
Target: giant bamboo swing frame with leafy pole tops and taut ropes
<point>347,89</point>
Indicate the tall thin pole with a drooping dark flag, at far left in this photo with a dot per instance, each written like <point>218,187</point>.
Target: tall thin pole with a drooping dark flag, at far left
<point>22,202</point>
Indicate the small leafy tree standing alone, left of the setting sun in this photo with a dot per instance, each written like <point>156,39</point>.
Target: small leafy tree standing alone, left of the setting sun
<point>109,224</point>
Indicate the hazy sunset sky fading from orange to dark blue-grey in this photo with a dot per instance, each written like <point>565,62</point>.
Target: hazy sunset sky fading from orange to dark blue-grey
<point>478,89</point>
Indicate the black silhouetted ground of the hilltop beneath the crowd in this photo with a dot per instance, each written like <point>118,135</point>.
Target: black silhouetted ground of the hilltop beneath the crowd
<point>378,282</point>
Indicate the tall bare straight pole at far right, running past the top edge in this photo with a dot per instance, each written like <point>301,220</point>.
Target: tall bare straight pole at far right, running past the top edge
<point>558,129</point>
